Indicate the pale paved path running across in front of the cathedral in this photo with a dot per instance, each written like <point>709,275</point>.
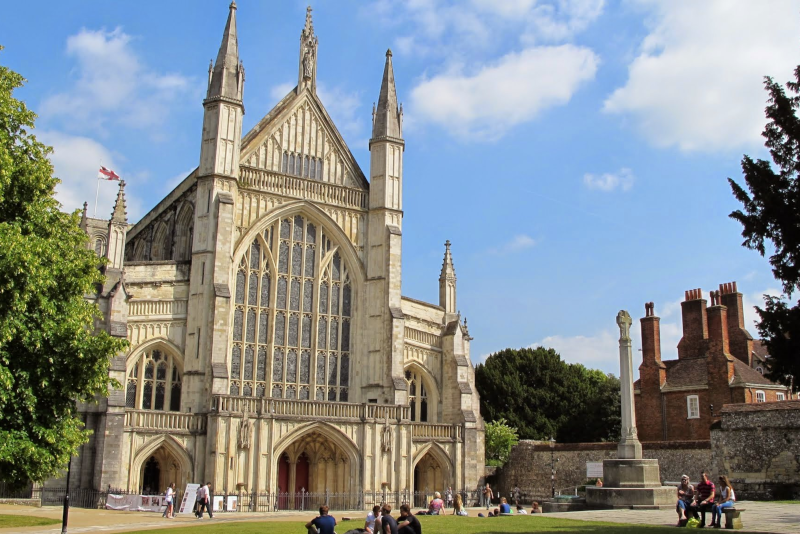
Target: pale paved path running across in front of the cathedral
<point>759,517</point>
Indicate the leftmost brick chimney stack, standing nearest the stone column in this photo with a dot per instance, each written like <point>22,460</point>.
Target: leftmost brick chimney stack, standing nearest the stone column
<point>652,376</point>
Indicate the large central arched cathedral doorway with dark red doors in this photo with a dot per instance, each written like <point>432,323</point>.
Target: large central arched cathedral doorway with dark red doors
<point>315,467</point>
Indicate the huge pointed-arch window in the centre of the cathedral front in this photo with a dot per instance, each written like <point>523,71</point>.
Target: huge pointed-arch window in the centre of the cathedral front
<point>291,320</point>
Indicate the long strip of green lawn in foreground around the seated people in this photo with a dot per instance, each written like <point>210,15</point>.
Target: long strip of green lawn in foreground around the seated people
<point>440,525</point>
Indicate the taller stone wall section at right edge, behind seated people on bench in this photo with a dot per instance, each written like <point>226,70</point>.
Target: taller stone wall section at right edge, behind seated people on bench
<point>758,447</point>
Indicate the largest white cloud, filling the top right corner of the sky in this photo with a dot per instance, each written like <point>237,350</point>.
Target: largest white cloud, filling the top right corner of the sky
<point>698,81</point>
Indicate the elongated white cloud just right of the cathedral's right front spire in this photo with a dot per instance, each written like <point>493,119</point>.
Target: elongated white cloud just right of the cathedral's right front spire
<point>498,96</point>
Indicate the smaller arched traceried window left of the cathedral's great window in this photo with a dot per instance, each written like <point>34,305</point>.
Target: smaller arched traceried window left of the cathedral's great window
<point>154,382</point>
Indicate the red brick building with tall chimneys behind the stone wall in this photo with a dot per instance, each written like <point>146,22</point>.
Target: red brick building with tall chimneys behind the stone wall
<point>674,398</point>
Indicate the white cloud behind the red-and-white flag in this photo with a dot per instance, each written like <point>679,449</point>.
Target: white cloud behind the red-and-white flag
<point>76,161</point>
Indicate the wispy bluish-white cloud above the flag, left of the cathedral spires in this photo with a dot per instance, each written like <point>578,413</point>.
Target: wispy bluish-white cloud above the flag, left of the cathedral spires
<point>112,85</point>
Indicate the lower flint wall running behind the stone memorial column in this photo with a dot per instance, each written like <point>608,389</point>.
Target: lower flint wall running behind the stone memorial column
<point>529,464</point>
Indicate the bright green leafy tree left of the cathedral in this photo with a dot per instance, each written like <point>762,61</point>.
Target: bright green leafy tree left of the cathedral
<point>50,358</point>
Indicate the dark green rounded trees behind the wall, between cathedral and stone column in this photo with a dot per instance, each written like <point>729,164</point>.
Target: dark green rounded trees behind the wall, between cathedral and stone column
<point>543,396</point>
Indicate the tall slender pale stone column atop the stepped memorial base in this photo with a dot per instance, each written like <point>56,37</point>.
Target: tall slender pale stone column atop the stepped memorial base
<point>629,446</point>
